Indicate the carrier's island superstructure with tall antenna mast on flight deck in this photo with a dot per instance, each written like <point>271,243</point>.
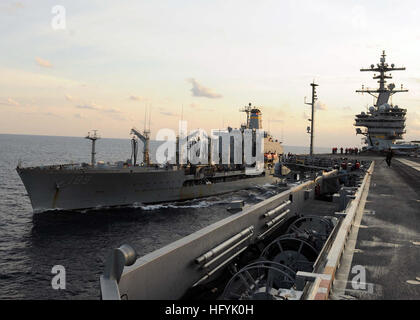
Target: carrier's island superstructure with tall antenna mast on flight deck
<point>384,122</point>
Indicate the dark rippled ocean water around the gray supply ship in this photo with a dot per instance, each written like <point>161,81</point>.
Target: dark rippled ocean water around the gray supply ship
<point>31,244</point>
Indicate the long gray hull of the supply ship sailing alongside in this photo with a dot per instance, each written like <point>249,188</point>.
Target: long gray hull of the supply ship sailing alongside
<point>52,189</point>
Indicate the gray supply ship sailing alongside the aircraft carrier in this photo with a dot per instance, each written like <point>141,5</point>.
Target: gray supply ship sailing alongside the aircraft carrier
<point>84,186</point>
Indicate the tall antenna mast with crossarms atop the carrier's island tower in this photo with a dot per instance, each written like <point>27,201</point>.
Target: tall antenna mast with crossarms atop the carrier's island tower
<point>383,93</point>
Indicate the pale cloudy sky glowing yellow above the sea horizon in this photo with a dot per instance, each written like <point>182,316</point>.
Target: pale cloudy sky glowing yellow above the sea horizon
<point>201,61</point>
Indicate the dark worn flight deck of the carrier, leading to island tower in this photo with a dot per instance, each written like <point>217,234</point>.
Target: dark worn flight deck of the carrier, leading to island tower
<point>386,239</point>
